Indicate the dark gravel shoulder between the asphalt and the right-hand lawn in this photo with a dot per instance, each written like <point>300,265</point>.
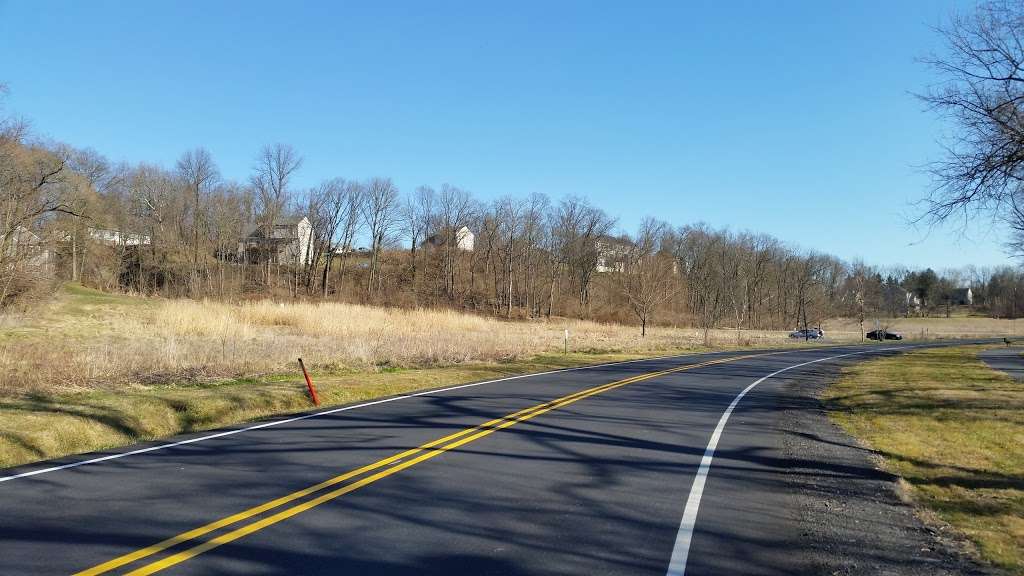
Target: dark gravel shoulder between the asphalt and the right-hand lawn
<point>852,516</point>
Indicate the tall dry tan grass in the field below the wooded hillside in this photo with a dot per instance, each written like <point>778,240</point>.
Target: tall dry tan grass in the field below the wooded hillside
<point>111,346</point>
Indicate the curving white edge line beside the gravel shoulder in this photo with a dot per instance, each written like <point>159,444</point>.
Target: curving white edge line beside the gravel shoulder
<point>677,566</point>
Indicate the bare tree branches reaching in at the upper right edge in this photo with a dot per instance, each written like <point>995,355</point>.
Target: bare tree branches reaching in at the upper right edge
<point>982,92</point>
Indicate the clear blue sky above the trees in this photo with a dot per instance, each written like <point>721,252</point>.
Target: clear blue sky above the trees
<point>792,118</point>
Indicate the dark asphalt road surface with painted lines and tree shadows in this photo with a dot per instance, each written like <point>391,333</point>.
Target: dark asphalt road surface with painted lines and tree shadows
<point>656,467</point>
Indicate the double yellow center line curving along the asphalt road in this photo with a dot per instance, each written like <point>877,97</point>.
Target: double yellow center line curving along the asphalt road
<point>385,468</point>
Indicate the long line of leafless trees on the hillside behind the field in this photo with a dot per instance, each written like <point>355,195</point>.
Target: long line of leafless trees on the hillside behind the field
<point>71,215</point>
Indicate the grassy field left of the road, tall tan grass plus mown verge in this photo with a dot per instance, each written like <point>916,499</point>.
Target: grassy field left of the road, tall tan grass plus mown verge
<point>94,371</point>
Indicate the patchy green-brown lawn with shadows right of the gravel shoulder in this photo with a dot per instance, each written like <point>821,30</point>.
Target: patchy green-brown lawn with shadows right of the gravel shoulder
<point>954,431</point>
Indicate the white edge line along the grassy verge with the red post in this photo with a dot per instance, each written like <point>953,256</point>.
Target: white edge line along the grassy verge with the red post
<point>316,415</point>
